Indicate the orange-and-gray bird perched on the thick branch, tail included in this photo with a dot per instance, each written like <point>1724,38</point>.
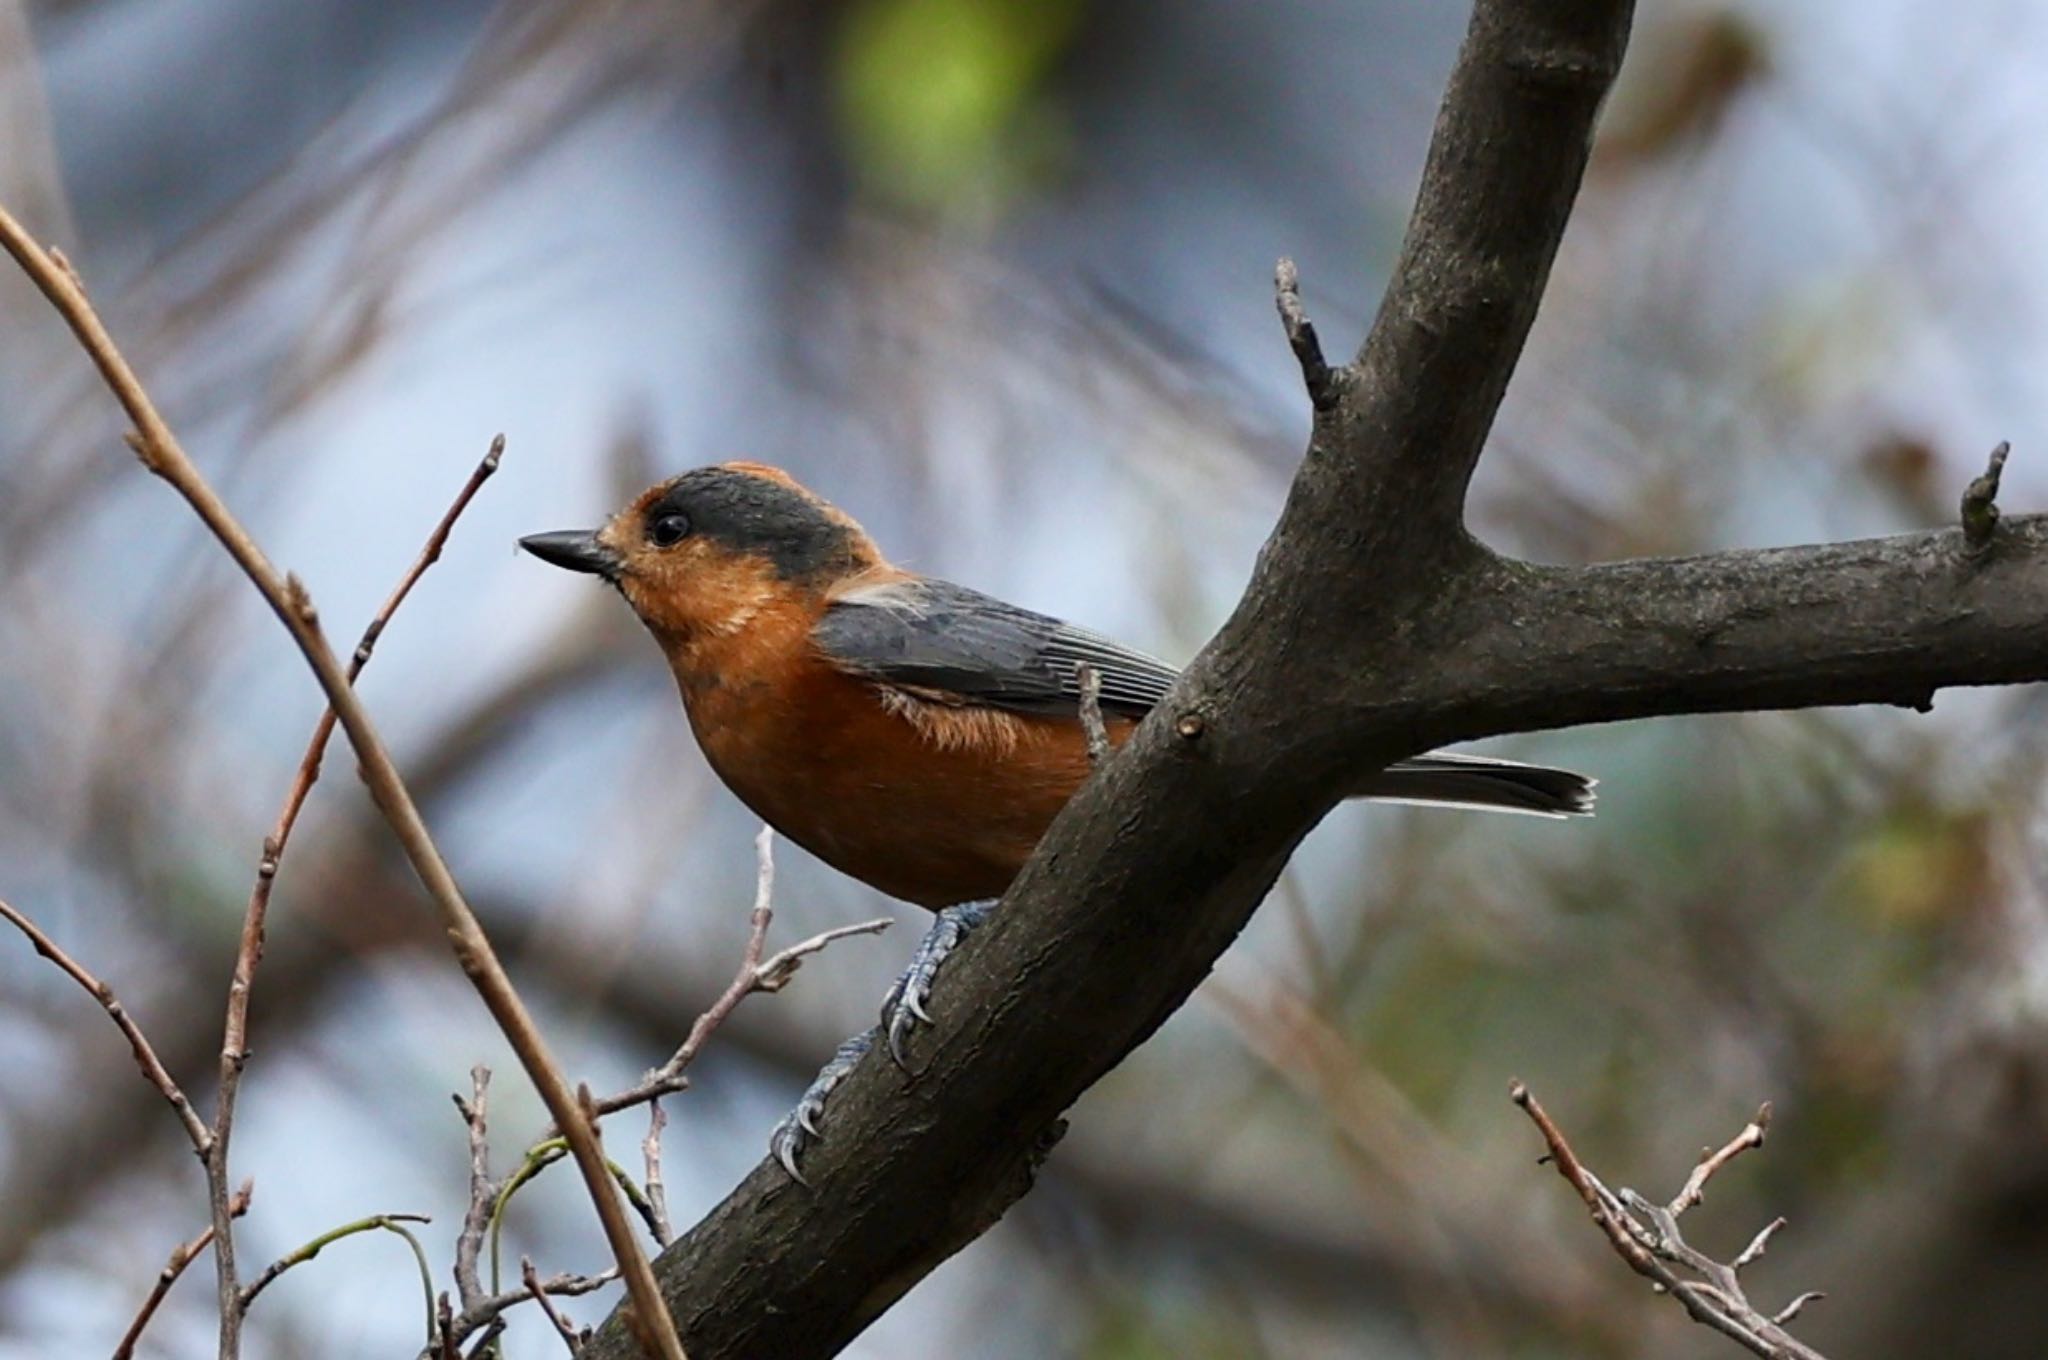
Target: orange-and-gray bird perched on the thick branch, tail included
<point>914,734</point>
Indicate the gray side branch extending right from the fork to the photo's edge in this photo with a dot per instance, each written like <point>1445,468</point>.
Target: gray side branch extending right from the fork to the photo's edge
<point>1875,622</point>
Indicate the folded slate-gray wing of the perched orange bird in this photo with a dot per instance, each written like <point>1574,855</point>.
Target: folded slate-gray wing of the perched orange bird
<point>937,636</point>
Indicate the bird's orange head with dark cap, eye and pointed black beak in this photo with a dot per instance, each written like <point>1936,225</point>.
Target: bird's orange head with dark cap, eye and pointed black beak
<point>710,550</point>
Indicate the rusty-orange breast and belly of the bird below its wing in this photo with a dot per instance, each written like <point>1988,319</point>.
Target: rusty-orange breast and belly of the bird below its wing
<point>925,802</point>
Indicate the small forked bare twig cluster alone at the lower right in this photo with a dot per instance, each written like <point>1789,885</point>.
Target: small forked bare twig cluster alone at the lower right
<point>1646,1236</point>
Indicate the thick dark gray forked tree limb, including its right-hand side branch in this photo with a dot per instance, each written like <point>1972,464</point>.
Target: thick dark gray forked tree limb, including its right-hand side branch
<point>1373,628</point>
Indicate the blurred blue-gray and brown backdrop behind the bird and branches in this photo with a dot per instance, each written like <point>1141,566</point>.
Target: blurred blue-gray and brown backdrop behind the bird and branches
<point>994,275</point>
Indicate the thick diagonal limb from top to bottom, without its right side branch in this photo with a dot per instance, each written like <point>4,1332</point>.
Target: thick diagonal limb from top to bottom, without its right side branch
<point>1158,863</point>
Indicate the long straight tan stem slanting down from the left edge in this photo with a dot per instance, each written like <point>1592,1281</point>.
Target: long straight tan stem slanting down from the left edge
<point>163,456</point>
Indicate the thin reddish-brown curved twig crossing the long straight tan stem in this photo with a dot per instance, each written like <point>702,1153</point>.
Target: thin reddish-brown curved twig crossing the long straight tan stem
<point>234,1031</point>
